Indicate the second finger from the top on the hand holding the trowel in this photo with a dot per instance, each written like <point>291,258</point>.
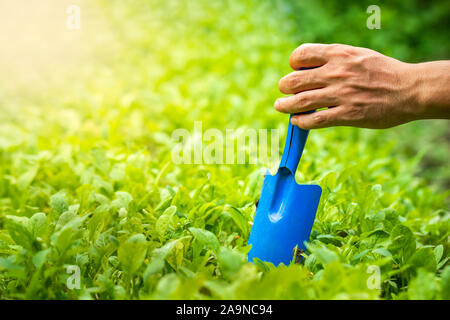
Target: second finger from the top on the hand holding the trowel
<point>303,80</point>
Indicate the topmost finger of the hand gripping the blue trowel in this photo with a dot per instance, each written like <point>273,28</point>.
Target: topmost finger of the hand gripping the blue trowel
<point>309,55</point>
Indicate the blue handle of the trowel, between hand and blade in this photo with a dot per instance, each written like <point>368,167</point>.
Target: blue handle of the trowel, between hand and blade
<point>293,148</point>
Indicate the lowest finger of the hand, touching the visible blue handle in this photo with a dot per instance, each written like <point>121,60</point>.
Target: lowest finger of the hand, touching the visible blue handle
<point>321,119</point>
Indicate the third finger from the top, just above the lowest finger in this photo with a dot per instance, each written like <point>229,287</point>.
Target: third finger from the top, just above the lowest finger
<point>306,101</point>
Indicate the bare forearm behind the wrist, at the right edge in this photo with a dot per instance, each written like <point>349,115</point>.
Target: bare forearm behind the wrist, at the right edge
<point>433,89</point>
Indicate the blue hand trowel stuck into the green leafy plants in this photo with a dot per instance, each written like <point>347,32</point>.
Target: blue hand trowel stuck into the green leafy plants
<point>286,210</point>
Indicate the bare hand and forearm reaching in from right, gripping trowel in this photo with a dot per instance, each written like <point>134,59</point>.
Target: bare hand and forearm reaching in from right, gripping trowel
<point>362,88</point>
